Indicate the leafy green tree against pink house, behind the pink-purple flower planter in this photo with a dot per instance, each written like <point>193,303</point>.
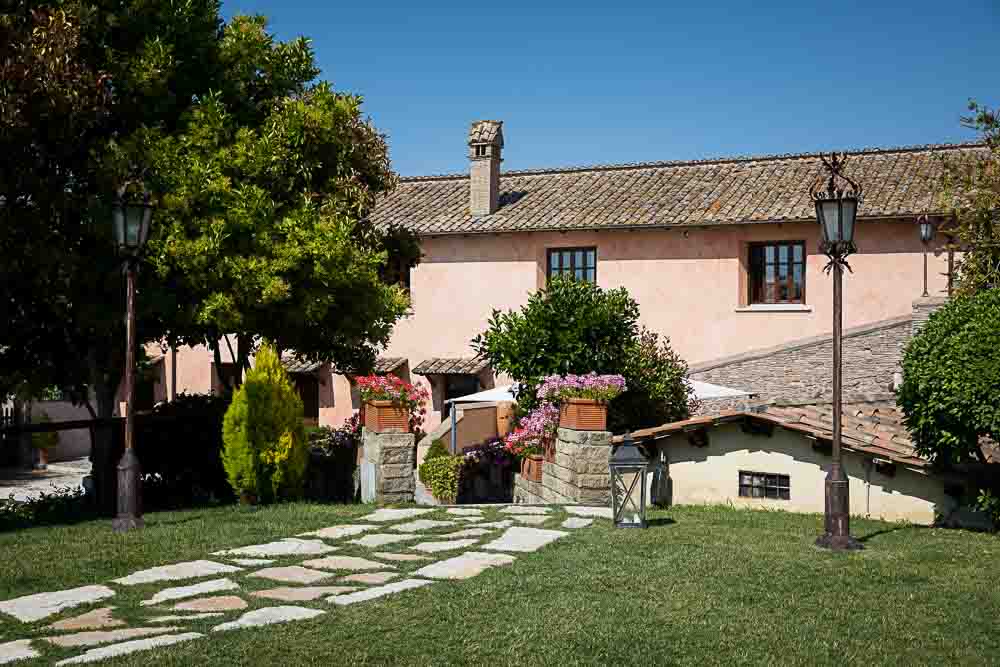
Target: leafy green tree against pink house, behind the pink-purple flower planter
<point>576,327</point>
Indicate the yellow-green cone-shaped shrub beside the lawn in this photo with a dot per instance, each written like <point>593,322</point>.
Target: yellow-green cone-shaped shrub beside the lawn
<point>265,453</point>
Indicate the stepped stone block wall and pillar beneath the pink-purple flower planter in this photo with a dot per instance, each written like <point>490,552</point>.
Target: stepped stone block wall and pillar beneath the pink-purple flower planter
<point>579,473</point>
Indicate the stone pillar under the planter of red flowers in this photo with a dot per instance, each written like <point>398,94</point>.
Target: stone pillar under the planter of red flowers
<point>387,467</point>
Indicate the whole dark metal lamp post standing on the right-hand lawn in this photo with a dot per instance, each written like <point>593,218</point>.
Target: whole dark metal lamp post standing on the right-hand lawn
<point>836,212</point>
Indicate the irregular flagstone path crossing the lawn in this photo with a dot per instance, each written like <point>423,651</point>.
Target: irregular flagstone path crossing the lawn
<point>484,537</point>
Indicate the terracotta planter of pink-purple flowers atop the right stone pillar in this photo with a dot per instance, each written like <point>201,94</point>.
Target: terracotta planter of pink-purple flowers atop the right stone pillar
<point>583,399</point>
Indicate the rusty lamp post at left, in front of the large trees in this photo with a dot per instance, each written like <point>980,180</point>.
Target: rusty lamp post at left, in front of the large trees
<point>130,218</point>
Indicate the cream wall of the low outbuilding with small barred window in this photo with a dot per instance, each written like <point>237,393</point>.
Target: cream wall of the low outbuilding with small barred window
<point>711,475</point>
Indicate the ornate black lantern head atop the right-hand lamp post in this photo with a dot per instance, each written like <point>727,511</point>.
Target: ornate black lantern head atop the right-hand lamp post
<point>837,209</point>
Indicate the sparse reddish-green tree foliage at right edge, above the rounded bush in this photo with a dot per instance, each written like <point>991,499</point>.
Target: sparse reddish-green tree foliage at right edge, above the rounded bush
<point>971,196</point>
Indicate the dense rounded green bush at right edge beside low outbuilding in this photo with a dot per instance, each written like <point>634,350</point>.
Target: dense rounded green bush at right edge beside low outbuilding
<point>951,380</point>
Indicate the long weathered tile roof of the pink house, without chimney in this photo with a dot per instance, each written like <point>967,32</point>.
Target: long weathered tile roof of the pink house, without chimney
<point>897,182</point>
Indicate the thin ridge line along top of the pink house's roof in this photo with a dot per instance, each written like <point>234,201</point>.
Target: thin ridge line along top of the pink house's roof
<point>771,157</point>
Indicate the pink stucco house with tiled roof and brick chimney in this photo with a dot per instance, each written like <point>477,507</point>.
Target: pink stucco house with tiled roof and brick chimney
<point>721,254</point>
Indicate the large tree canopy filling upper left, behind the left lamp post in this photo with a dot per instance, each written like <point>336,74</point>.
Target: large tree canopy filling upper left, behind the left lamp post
<point>262,176</point>
